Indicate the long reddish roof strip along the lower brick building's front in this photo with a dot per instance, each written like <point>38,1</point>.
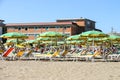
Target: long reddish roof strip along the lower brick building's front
<point>39,24</point>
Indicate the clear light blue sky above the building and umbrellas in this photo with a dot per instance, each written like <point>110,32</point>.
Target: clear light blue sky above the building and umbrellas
<point>106,13</point>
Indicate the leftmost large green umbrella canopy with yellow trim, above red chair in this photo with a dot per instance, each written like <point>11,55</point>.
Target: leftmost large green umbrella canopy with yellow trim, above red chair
<point>14,35</point>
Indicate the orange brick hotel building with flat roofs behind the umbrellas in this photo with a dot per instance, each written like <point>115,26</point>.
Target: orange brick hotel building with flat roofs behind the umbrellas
<point>64,26</point>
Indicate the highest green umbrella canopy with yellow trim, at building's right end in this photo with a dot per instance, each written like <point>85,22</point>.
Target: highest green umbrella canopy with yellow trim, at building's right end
<point>93,33</point>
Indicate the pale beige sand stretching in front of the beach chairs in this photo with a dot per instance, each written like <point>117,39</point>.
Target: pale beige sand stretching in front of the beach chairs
<point>39,70</point>
